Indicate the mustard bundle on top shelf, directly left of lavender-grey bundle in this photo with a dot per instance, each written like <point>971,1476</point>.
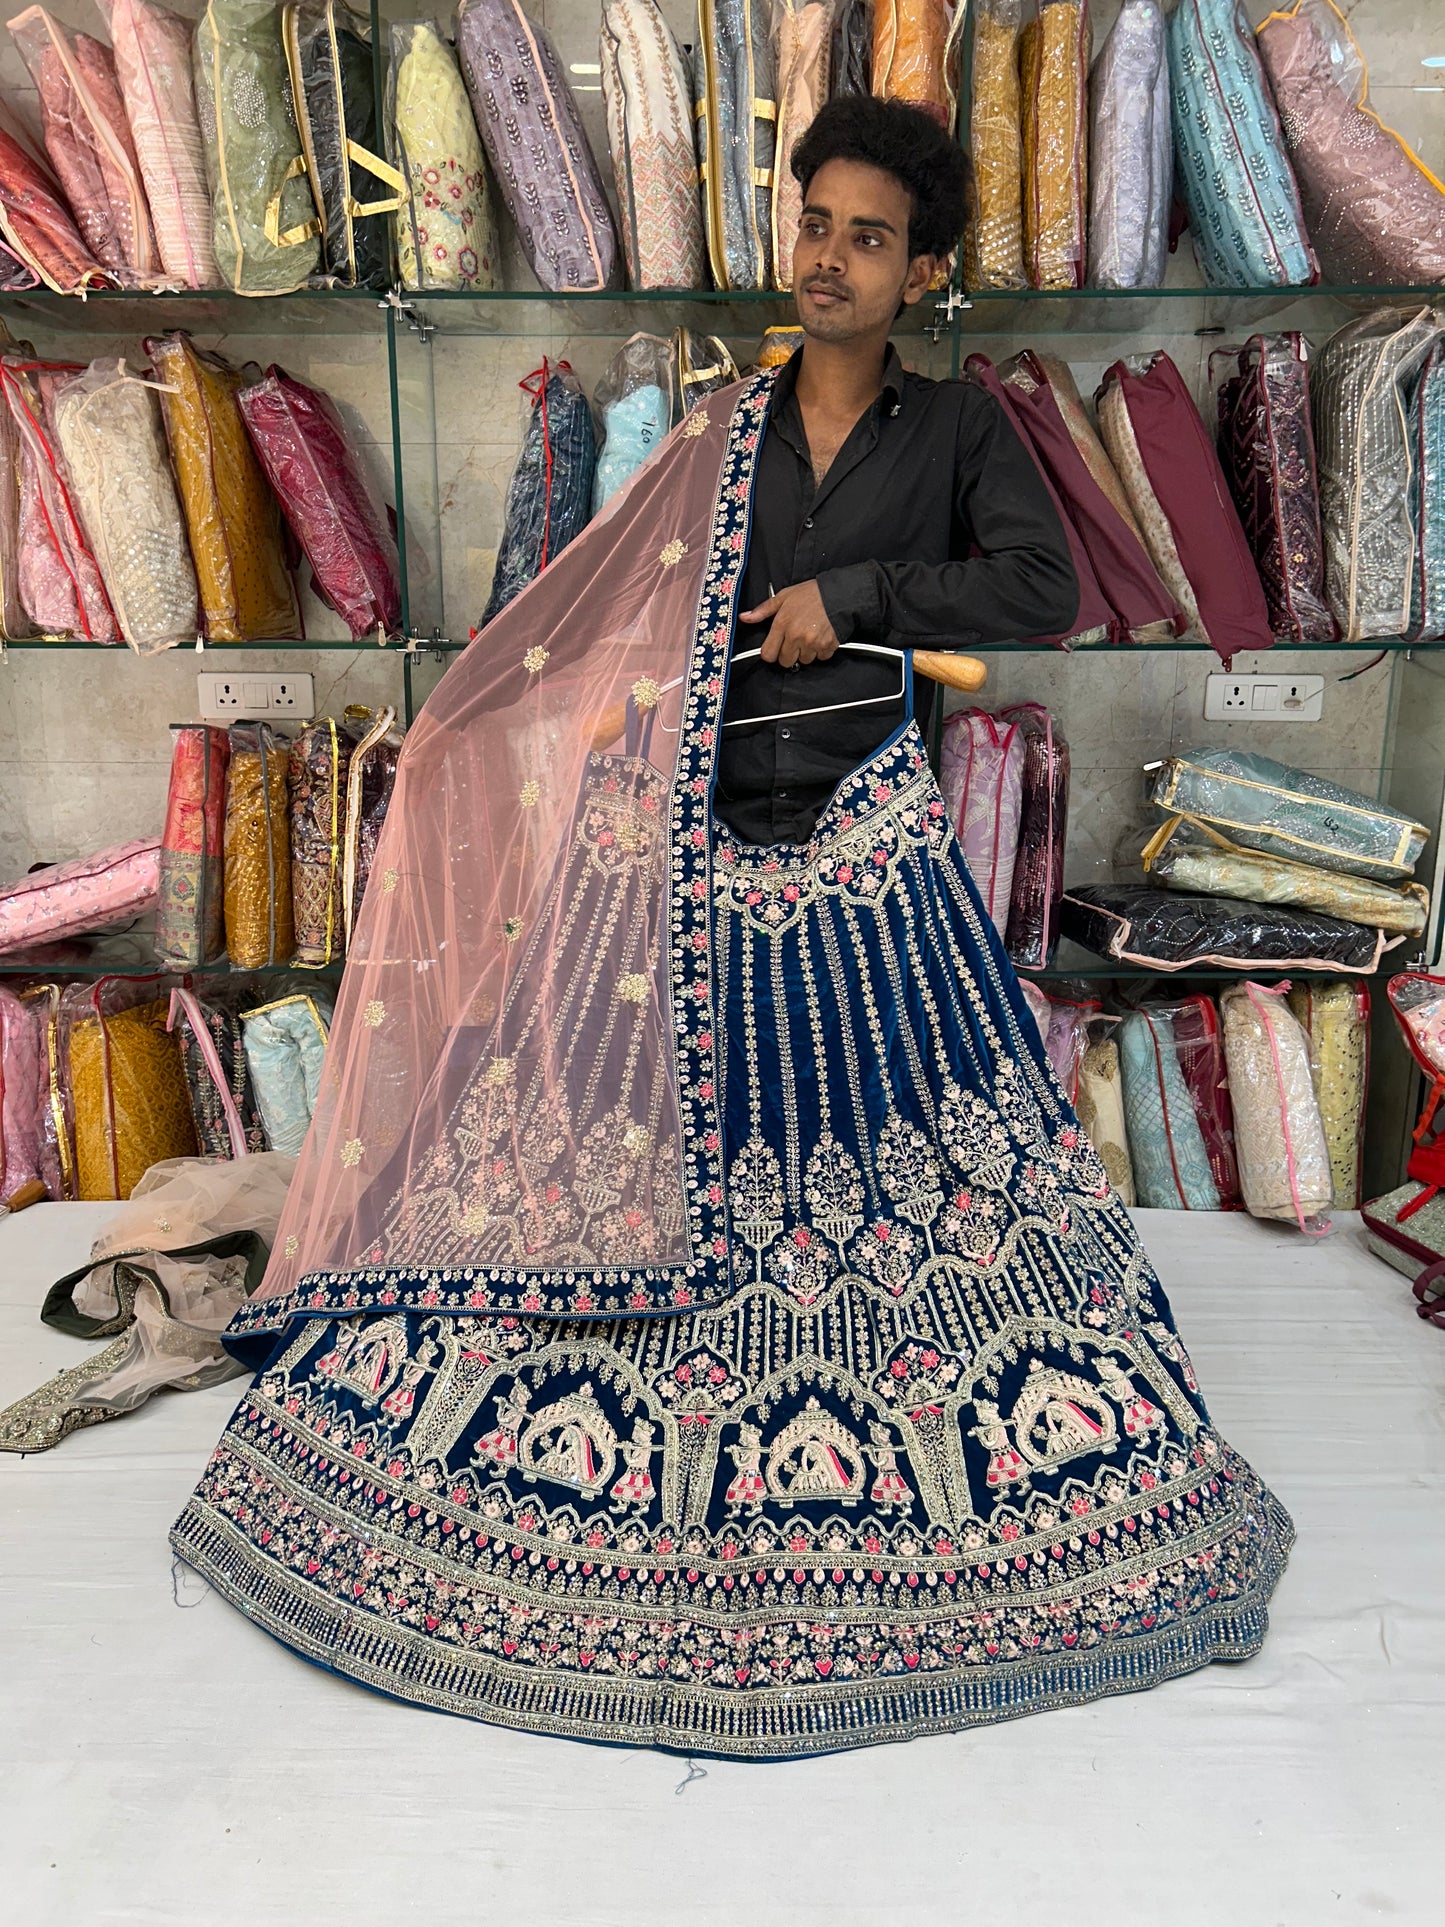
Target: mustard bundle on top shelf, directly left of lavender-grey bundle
<point>1055,119</point>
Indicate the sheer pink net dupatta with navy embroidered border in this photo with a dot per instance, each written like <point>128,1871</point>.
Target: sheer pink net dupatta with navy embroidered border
<point>519,1109</point>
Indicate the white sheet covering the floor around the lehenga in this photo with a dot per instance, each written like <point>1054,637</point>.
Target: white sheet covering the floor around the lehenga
<point>169,1766</point>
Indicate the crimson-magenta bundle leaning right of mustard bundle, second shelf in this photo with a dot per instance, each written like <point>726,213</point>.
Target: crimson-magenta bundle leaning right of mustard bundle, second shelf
<point>328,500</point>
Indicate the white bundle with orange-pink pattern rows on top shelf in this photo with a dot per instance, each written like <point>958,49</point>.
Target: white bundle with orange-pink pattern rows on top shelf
<point>650,130</point>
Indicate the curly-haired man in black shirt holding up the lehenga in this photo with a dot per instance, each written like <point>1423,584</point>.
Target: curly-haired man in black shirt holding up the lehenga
<point>887,508</point>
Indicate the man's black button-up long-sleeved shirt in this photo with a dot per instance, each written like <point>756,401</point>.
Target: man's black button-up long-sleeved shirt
<point>932,531</point>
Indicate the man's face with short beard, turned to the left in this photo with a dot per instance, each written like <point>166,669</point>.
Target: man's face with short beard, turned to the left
<point>851,265</point>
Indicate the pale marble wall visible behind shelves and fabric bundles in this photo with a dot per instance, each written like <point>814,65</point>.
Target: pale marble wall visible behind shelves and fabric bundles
<point>84,739</point>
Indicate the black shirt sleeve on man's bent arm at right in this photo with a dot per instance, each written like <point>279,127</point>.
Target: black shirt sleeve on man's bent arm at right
<point>1022,581</point>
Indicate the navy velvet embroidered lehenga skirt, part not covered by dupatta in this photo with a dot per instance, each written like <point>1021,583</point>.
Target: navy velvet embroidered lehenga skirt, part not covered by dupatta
<point>939,1460</point>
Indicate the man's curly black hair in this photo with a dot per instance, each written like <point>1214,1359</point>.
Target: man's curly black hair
<point>906,144</point>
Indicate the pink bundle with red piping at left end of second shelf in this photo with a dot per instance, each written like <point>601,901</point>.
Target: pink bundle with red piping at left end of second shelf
<point>59,577</point>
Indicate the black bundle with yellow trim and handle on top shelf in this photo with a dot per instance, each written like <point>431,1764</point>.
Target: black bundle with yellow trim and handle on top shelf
<point>328,57</point>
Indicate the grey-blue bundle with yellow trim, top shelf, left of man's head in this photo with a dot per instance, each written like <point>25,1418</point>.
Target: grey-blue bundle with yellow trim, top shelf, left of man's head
<point>737,140</point>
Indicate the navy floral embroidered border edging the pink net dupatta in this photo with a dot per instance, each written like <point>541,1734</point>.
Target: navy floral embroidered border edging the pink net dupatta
<point>635,1290</point>
